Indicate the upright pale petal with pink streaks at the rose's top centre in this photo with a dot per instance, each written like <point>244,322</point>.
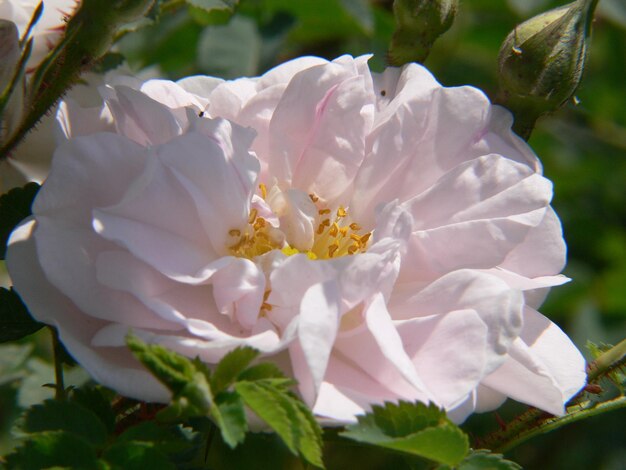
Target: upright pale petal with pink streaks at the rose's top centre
<point>318,129</point>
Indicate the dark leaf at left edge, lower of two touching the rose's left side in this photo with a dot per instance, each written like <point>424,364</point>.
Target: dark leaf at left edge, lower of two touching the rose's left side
<point>15,320</point>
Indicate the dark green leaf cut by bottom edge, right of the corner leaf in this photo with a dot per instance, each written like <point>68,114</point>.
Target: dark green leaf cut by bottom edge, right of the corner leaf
<point>137,456</point>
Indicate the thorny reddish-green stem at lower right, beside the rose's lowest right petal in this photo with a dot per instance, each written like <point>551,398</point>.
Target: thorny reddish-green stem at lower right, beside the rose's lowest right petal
<point>534,422</point>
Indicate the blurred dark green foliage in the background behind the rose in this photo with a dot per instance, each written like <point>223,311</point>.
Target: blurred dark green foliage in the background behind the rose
<point>583,149</point>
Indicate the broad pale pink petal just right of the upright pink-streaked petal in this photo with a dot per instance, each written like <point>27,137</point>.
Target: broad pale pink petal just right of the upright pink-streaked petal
<point>424,138</point>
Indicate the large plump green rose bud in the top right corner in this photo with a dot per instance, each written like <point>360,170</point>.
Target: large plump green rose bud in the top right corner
<point>541,62</point>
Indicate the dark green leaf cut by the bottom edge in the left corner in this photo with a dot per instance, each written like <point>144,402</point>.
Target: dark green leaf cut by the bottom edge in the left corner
<point>53,449</point>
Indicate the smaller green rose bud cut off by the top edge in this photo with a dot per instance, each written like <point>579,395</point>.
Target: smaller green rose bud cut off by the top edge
<point>418,24</point>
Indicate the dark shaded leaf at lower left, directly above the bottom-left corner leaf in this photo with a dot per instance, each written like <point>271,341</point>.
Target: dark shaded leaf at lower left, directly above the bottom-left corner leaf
<point>54,415</point>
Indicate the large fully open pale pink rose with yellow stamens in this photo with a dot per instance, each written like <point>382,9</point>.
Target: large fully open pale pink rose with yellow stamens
<point>379,236</point>
